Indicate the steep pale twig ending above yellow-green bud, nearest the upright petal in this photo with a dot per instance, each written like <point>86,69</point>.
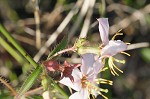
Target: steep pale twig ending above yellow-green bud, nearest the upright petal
<point>86,24</point>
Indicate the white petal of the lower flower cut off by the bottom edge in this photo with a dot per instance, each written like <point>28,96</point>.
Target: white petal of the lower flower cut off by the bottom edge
<point>83,94</point>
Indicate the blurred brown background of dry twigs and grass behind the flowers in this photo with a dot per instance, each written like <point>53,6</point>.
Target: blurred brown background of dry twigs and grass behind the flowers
<point>39,25</point>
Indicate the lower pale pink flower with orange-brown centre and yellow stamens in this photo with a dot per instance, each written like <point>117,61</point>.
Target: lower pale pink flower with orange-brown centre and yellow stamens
<point>84,79</point>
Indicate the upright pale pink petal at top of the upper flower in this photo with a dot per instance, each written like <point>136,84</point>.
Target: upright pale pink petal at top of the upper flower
<point>104,30</point>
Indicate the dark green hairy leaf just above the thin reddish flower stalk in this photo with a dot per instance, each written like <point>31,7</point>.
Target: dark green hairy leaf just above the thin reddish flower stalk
<point>59,47</point>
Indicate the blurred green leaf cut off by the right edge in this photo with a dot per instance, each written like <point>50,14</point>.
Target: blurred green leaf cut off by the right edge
<point>145,54</point>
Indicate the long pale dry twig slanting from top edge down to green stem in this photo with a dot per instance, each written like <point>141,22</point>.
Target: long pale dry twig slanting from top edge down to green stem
<point>58,31</point>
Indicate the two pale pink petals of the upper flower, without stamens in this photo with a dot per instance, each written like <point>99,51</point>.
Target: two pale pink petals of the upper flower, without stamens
<point>112,47</point>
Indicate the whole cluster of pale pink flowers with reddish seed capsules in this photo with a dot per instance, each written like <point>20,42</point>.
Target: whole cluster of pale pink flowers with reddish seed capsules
<point>83,78</point>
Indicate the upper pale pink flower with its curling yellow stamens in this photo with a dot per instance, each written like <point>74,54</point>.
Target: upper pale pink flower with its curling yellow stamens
<point>111,47</point>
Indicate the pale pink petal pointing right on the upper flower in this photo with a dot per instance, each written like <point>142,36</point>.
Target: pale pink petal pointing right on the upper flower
<point>113,47</point>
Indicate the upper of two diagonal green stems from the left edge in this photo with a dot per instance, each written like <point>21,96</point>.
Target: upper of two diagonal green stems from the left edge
<point>17,46</point>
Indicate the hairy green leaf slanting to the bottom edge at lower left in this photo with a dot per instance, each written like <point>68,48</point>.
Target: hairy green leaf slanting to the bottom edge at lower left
<point>29,81</point>
